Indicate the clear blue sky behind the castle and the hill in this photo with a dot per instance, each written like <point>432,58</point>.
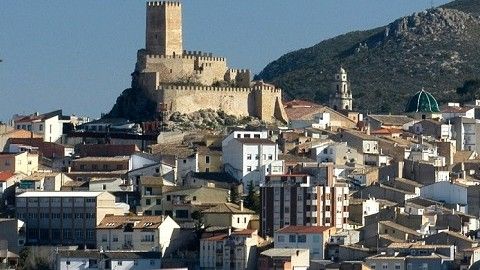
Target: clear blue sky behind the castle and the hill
<point>78,55</point>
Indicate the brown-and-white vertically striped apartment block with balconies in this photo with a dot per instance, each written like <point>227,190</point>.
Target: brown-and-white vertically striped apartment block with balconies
<point>297,199</point>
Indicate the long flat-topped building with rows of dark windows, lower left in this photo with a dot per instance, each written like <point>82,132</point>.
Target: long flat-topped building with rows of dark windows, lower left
<point>65,218</point>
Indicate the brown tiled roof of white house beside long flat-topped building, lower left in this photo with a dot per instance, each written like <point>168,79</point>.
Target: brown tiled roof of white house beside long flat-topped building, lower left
<point>139,222</point>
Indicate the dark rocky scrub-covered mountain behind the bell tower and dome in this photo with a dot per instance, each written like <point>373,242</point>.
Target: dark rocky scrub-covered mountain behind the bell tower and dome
<point>436,49</point>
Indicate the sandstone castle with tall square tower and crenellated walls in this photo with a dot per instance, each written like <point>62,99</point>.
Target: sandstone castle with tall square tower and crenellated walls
<point>188,81</point>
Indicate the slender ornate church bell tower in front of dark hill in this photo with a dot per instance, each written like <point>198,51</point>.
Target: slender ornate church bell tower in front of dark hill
<point>342,96</point>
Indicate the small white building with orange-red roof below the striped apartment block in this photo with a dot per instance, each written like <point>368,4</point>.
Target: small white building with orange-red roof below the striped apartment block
<point>313,238</point>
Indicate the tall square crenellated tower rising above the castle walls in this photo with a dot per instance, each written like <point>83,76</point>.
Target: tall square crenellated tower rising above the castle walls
<point>164,28</point>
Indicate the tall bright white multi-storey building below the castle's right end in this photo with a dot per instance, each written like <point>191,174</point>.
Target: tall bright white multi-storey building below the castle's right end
<point>245,159</point>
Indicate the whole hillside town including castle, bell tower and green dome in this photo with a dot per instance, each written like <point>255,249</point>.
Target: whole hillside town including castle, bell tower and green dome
<point>300,185</point>
